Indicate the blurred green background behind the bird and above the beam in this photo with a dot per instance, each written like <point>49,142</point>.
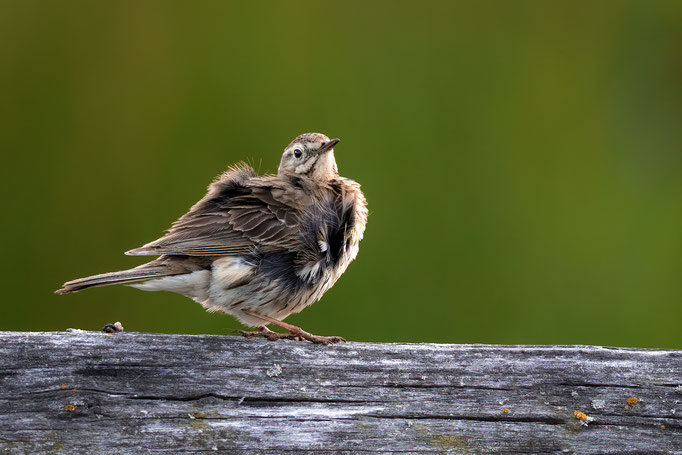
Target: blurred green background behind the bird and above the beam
<point>522,160</point>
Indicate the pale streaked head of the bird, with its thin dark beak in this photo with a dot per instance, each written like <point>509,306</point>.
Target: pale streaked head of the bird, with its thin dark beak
<point>310,155</point>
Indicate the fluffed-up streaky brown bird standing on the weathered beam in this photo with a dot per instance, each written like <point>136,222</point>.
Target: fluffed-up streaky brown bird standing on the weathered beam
<point>259,248</point>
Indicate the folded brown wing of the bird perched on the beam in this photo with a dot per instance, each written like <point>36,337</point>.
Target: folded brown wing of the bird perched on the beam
<point>240,212</point>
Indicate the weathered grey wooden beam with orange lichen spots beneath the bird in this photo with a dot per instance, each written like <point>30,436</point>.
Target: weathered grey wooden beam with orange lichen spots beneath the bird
<point>135,393</point>
